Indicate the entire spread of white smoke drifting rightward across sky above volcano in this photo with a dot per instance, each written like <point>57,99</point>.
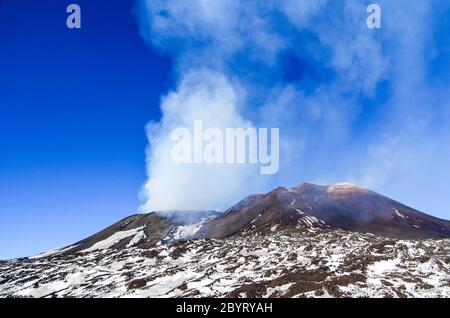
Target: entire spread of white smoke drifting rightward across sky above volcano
<point>227,57</point>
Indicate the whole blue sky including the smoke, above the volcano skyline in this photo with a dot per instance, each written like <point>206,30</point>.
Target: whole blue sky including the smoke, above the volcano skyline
<point>353,104</point>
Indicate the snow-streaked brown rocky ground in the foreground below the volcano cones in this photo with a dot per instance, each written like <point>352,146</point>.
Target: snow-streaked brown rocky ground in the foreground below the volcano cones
<point>300,262</point>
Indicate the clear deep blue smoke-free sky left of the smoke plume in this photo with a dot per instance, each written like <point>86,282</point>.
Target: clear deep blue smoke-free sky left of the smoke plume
<point>73,107</point>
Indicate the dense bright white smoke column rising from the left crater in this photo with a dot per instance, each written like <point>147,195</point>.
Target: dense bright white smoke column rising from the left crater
<point>206,96</point>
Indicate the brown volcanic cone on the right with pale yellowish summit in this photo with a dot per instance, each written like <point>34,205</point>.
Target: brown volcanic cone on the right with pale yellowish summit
<point>341,206</point>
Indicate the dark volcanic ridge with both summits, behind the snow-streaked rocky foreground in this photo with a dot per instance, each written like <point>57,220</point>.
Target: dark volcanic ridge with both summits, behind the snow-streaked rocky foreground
<point>341,206</point>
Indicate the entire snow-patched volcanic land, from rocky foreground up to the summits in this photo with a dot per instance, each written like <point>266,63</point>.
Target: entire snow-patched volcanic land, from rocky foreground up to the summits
<point>308,241</point>
